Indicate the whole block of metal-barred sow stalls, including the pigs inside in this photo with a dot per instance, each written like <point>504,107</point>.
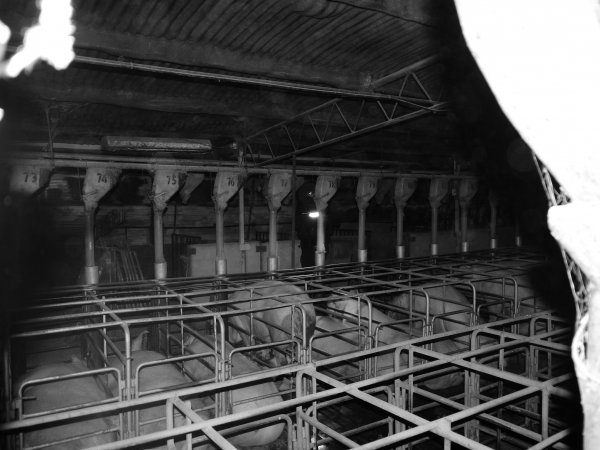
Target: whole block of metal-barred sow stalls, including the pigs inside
<point>491,370</point>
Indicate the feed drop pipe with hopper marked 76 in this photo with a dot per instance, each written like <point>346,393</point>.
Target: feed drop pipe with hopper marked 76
<point>226,186</point>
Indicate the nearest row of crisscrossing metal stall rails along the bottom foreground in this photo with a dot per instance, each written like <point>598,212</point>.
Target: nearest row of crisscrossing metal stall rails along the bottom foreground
<point>496,407</point>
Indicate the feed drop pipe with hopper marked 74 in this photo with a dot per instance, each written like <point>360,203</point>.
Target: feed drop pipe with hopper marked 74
<point>97,183</point>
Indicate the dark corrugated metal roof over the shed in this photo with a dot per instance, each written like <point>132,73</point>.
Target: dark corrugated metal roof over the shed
<point>327,43</point>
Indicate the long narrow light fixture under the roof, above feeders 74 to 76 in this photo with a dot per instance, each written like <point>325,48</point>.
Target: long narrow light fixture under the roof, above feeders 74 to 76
<point>148,144</point>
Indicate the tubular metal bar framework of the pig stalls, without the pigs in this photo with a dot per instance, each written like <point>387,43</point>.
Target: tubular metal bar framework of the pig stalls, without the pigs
<point>130,306</point>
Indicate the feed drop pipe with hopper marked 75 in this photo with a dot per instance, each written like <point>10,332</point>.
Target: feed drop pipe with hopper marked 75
<point>165,184</point>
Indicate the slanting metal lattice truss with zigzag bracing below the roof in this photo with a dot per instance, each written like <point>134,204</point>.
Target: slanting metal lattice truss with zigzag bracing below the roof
<point>341,119</point>
